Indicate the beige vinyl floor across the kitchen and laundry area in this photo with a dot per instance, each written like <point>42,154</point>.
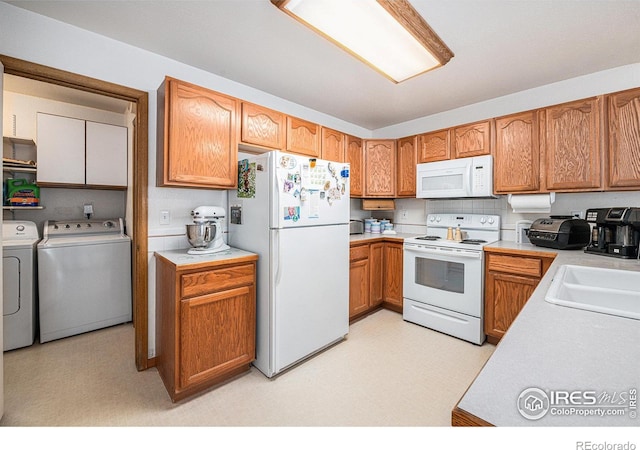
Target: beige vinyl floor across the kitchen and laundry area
<point>386,373</point>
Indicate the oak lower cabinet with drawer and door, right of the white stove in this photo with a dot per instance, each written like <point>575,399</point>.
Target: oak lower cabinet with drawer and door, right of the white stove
<point>510,279</point>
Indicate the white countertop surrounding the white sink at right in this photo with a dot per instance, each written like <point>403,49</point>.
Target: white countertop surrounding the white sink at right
<point>556,348</point>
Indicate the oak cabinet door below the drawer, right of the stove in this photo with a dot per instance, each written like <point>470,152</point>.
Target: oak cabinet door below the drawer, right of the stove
<point>505,296</point>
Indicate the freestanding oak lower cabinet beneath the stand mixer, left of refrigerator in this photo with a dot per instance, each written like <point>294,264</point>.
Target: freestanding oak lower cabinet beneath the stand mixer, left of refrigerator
<point>206,322</point>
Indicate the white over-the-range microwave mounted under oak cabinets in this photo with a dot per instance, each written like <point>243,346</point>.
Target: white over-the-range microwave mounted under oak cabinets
<point>456,178</point>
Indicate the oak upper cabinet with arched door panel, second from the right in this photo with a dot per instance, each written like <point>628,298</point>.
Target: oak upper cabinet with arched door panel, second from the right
<point>572,146</point>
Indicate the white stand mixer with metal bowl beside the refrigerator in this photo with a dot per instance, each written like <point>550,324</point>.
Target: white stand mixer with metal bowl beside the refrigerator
<point>205,235</point>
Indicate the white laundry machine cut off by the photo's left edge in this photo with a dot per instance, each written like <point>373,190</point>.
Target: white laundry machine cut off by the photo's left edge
<point>19,283</point>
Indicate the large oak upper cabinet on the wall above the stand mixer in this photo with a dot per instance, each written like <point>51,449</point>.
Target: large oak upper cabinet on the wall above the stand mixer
<point>200,141</point>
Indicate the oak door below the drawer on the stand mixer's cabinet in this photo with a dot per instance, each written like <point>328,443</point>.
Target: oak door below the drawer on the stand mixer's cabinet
<point>217,334</point>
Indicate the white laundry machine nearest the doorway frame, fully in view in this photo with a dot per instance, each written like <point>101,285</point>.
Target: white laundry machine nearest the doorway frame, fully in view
<point>84,277</point>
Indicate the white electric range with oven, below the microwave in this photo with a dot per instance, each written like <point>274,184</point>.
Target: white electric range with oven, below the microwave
<point>443,278</point>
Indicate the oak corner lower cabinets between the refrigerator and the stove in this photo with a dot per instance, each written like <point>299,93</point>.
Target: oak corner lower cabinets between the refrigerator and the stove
<point>375,277</point>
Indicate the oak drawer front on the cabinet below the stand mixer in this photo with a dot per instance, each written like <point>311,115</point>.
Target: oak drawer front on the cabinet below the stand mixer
<point>199,283</point>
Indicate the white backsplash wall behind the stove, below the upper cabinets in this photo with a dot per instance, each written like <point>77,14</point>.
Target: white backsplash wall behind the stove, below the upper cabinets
<point>410,213</point>
